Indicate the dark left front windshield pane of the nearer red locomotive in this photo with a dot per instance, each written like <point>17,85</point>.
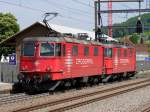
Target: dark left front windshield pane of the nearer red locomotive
<point>28,49</point>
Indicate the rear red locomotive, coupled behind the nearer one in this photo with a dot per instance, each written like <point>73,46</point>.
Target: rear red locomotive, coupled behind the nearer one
<point>119,61</point>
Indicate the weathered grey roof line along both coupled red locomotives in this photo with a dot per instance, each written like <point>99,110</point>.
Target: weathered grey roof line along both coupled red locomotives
<point>75,40</point>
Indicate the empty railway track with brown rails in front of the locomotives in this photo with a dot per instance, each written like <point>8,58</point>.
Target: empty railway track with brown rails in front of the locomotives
<point>80,100</point>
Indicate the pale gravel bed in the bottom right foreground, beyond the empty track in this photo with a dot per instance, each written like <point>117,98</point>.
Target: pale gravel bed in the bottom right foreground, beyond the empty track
<point>133,101</point>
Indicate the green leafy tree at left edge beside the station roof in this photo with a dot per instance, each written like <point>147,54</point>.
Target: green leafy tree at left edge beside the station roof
<point>8,27</point>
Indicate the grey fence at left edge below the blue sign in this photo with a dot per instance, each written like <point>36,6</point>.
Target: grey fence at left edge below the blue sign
<point>8,73</point>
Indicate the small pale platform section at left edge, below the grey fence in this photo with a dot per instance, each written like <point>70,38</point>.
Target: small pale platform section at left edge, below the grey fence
<point>5,87</point>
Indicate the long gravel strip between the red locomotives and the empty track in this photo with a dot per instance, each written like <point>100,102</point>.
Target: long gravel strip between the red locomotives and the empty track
<point>13,106</point>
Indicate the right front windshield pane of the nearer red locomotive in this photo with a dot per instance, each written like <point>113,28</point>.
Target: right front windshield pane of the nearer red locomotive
<point>47,49</point>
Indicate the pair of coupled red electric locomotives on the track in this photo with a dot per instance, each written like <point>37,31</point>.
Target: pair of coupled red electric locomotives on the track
<point>48,62</point>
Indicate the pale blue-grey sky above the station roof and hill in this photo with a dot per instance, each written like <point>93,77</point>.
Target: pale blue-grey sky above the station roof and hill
<point>72,13</point>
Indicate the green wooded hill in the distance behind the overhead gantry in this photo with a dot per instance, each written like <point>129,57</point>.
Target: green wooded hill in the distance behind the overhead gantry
<point>128,27</point>
